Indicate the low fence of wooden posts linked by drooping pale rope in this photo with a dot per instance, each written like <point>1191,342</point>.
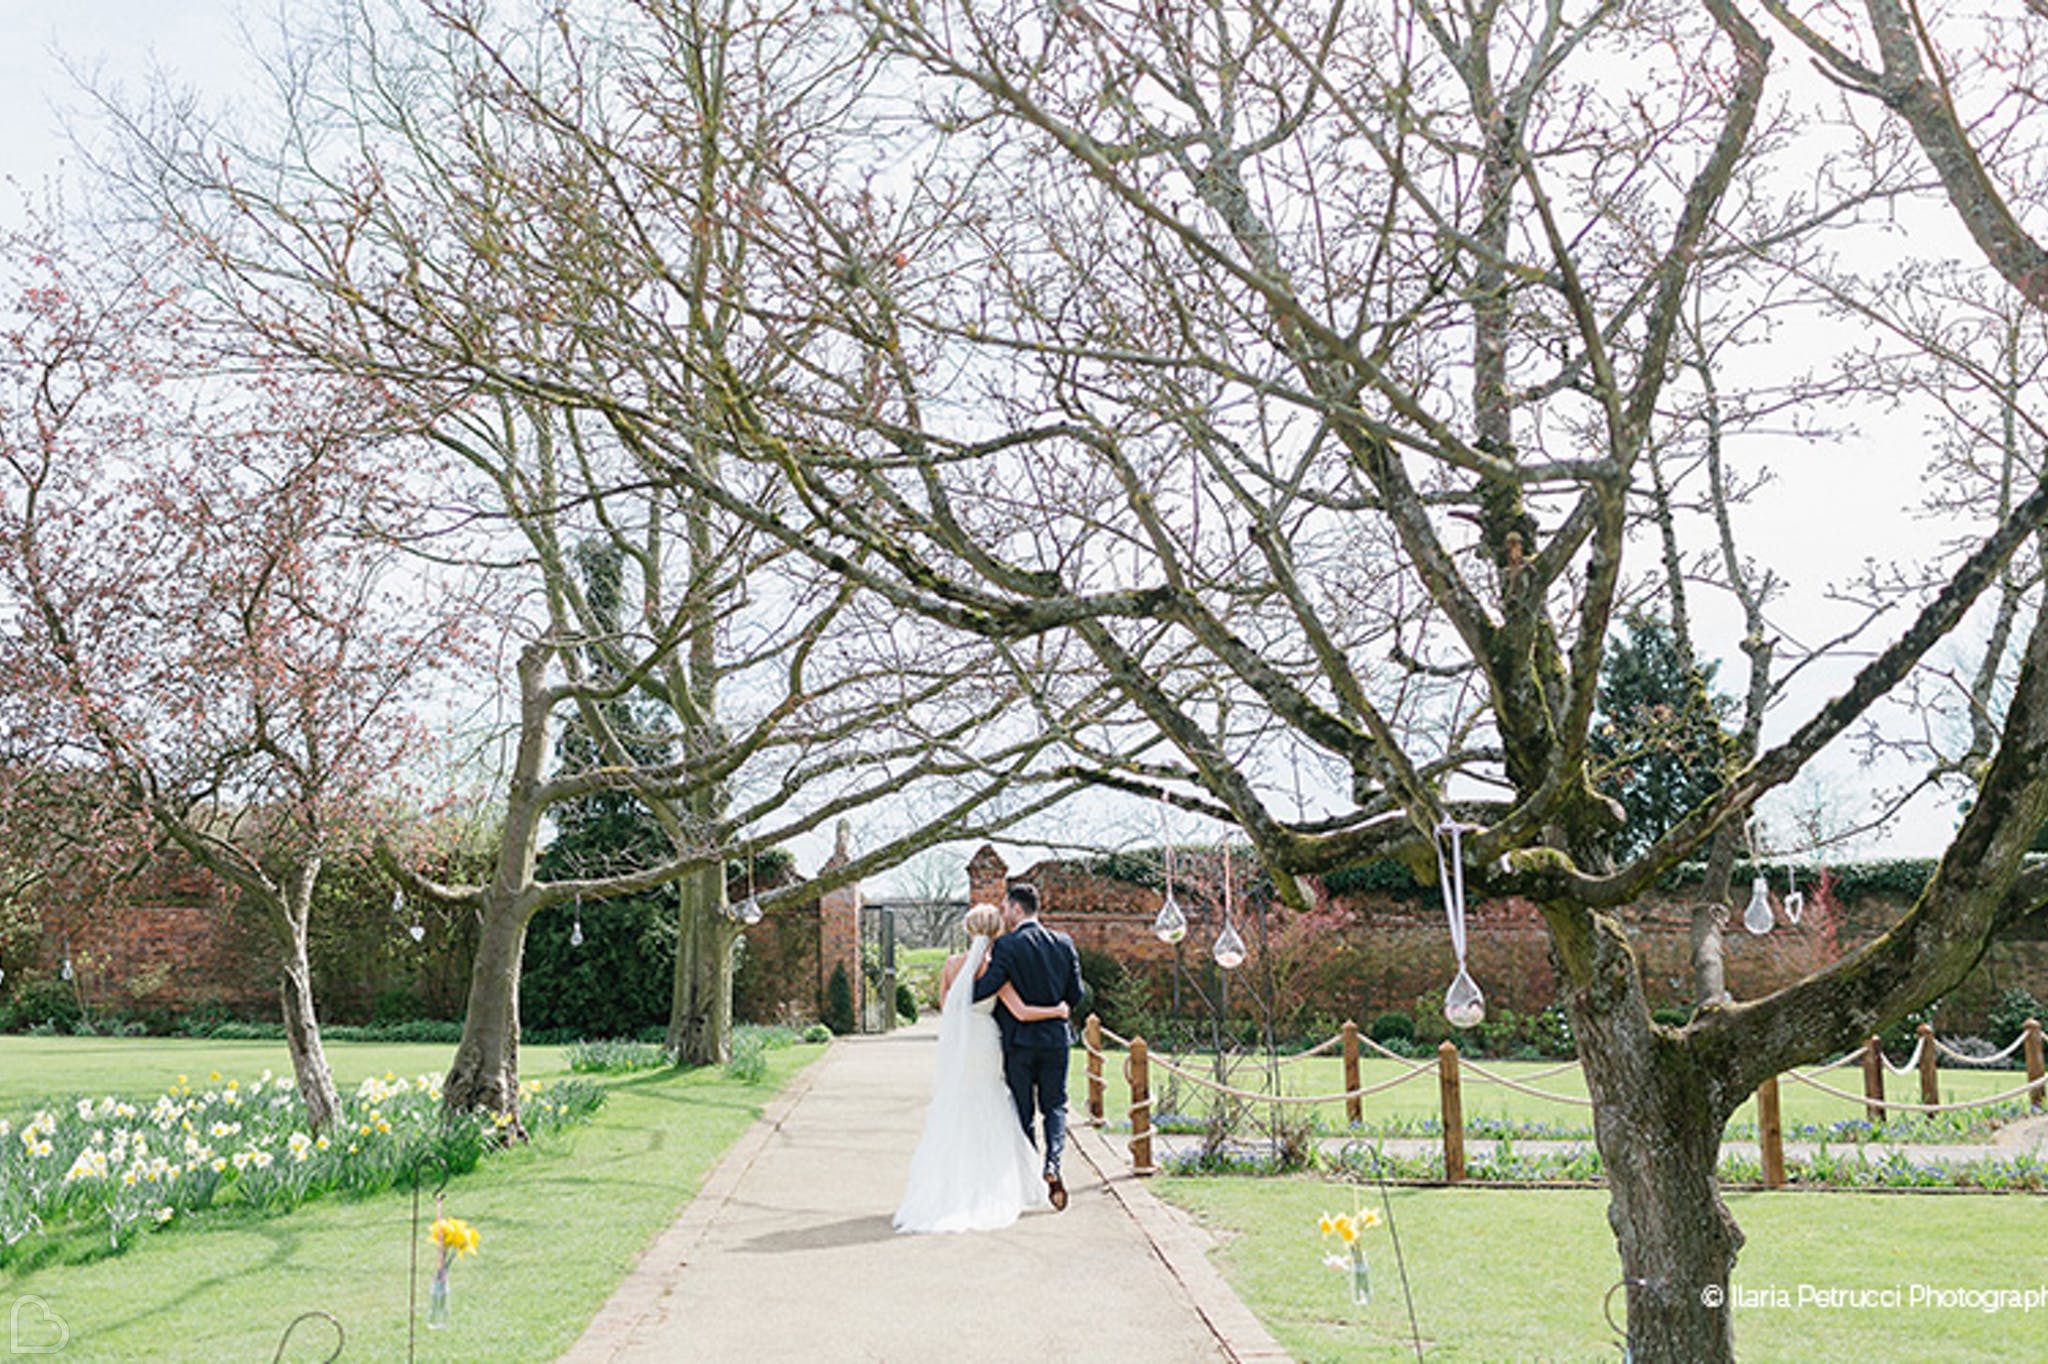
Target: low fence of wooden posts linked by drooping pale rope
<point>1453,1070</point>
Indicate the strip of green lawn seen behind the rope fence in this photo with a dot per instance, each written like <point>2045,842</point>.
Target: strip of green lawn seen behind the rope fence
<point>1398,1109</point>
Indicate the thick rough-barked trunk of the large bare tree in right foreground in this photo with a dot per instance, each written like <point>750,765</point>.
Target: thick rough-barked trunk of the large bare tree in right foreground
<point>1658,1121</point>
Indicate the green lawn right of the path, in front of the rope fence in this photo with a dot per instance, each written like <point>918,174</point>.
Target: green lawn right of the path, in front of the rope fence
<point>1519,1275</point>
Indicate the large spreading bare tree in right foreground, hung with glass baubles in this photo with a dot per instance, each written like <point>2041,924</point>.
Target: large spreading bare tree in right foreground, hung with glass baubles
<point>1304,368</point>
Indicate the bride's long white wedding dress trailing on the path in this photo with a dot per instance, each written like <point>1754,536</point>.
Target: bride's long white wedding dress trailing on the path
<point>974,1170</point>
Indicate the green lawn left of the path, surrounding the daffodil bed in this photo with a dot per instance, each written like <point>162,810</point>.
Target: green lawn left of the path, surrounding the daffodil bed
<point>560,1222</point>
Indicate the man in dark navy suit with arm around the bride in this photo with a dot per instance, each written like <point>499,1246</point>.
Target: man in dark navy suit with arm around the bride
<point>1046,970</point>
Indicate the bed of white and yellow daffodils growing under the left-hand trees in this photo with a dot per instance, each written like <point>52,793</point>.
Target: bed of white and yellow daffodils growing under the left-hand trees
<point>126,1166</point>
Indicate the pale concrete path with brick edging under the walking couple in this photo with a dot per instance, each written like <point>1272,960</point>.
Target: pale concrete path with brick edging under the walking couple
<point>787,1254</point>
